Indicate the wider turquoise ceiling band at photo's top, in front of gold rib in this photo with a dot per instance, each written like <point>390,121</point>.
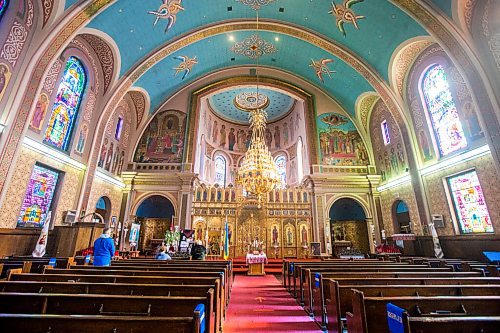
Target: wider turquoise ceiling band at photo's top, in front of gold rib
<point>384,27</point>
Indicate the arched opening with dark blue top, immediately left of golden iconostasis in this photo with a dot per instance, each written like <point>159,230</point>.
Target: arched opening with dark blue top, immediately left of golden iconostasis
<point>155,215</point>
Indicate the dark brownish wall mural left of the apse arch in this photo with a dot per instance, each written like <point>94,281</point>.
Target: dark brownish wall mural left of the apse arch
<point>163,139</point>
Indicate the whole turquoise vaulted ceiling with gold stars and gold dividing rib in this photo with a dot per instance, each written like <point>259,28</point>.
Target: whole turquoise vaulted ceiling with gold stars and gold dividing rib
<point>194,38</point>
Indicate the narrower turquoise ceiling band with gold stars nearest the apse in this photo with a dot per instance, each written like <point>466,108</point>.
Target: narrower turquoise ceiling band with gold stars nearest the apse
<point>161,82</point>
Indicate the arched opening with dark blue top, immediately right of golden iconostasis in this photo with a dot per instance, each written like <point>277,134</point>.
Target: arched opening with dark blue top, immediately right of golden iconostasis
<point>348,226</point>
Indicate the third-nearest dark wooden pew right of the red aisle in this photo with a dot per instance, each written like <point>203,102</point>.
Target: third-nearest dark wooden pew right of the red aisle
<point>338,301</point>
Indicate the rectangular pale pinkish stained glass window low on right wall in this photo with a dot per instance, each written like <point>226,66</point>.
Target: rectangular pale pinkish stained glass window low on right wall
<point>470,206</point>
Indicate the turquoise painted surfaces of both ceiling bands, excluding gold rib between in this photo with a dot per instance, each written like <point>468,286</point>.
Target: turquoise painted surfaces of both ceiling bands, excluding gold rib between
<point>383,28</point>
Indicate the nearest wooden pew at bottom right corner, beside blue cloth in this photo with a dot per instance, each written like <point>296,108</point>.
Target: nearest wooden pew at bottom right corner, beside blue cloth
<point>471,324</point>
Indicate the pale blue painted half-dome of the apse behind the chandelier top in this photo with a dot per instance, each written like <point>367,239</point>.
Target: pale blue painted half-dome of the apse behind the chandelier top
<point>222,104</point>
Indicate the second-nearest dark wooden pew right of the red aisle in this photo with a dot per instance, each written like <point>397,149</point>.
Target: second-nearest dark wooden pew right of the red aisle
<point>369,313</point>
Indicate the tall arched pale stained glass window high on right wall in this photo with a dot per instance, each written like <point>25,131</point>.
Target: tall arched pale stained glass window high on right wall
<point>442,111</point>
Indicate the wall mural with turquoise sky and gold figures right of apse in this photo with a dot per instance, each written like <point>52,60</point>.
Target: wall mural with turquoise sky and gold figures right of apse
<point>340,142</point>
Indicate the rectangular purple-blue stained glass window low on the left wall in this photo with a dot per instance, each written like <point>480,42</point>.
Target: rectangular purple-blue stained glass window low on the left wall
<point>38,198</point>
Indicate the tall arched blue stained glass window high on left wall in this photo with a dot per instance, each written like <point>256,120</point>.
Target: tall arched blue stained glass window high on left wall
<point>66,104</point>
